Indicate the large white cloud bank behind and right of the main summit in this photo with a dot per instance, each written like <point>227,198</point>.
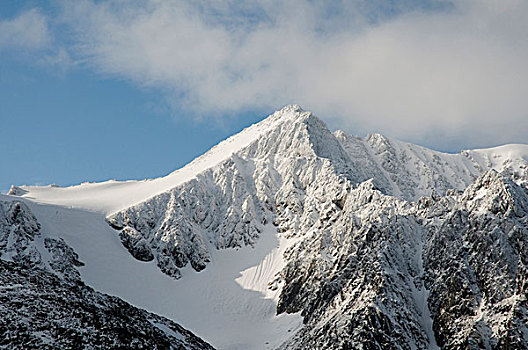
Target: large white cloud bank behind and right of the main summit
<point>436,77</point>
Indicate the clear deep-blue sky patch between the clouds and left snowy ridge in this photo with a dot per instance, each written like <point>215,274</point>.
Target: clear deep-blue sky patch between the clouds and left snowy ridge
<point>75,127</point>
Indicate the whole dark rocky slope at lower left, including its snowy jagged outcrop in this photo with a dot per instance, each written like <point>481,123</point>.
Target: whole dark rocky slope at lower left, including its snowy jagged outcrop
<point>45,305</point>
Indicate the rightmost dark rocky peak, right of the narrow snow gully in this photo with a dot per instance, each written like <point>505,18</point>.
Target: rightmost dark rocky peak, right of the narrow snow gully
<point>477,267</point>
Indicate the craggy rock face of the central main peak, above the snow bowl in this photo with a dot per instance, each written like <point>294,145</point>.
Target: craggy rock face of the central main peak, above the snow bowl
<point>227,206</point>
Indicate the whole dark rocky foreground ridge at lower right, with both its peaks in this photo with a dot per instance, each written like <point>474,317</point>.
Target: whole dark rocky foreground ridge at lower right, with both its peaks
<point>444,272</point>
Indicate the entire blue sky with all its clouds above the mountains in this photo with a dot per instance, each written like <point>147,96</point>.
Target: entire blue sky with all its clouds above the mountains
<point>94,90</point>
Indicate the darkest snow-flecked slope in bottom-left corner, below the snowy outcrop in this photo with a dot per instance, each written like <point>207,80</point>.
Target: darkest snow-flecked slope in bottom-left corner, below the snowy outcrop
<point>42,311</point>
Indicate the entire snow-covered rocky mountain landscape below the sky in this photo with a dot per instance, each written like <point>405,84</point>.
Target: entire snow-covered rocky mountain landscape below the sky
<point>284,236</point>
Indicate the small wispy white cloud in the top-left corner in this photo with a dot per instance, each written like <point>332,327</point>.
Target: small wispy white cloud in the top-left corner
<point>29,30</point>
